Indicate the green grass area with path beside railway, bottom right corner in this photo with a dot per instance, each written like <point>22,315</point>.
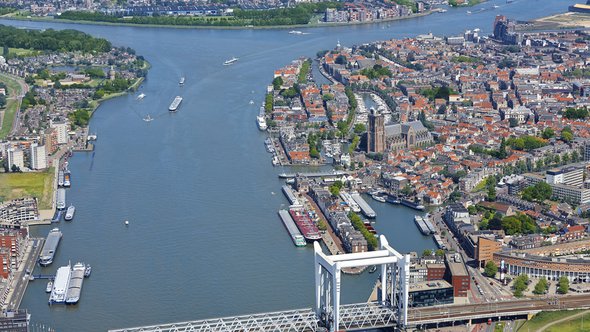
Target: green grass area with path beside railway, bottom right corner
<point>559,321</point>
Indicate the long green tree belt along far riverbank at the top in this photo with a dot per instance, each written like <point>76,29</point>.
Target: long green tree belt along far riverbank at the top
<point>300,14</point>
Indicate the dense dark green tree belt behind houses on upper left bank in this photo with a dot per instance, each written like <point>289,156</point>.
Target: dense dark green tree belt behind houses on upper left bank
<point>52,40</point>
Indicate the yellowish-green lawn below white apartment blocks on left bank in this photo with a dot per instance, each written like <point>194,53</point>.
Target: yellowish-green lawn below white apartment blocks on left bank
<point>18,185</point>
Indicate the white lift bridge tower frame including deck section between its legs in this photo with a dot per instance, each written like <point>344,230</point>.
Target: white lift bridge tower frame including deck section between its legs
<point>392,308</point>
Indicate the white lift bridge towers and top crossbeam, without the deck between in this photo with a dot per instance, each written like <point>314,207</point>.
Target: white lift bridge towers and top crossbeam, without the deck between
<point>395,271</point>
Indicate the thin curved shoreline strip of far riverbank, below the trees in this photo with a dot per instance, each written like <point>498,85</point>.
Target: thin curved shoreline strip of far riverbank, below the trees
<point>309,25</point>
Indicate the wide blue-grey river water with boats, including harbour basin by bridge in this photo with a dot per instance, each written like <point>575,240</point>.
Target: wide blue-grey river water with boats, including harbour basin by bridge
<point>198,187</point>
